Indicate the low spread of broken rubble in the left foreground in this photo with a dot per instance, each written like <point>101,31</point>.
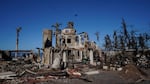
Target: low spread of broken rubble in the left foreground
<point>18,72</point>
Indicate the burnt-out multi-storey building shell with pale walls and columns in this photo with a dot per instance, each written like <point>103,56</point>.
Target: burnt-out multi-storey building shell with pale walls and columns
<point>70,47</point>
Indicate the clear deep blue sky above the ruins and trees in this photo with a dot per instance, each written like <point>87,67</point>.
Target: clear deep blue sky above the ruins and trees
<point>103,16</point>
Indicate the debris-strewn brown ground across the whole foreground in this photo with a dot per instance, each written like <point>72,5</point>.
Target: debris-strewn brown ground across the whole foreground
<point>31,74</point>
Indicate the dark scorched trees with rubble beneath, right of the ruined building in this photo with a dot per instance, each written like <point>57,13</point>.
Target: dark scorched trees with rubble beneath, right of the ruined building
<point>127,47</point>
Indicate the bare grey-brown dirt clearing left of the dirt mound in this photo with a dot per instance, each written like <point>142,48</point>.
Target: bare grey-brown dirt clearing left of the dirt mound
<point>104,77</point>
